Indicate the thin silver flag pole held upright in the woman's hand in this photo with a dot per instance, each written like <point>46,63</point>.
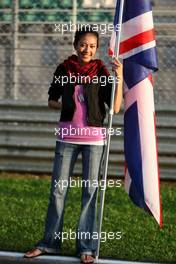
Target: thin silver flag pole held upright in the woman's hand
<point>110,116</point>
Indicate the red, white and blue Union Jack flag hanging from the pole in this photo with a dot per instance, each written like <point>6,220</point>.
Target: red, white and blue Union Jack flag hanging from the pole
<point>138,52</point>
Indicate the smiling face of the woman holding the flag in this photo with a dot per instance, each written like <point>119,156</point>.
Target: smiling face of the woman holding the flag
<point>86,48</point>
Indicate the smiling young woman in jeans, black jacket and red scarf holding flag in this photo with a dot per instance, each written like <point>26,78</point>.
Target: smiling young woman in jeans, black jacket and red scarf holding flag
<point>84,85</point>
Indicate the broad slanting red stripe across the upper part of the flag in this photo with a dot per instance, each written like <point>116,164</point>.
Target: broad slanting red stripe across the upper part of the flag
<point>137,41</point>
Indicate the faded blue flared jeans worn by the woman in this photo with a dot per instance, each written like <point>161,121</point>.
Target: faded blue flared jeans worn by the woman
<point>65,157</point>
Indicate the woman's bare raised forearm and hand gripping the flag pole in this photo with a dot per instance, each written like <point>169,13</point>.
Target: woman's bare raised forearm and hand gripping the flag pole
<point>118,68</point>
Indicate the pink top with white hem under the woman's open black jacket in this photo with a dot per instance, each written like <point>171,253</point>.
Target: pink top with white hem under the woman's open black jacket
<point>77,131</point>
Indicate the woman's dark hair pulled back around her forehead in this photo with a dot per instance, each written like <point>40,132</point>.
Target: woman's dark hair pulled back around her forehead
<point>82,30</point>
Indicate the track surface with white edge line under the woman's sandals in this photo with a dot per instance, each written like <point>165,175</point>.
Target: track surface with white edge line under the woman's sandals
<point>7,257</point>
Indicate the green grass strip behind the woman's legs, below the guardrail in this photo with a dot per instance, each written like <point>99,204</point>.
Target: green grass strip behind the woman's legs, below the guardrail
<point>23,204</point>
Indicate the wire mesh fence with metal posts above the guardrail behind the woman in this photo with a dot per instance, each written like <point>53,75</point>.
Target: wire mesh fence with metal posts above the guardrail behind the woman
<point>31,45</point>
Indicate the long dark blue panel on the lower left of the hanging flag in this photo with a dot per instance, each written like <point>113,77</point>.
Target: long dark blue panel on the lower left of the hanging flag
<point>134,159</point>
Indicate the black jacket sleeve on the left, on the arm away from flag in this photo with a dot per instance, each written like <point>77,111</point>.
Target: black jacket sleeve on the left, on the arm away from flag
<point>55,89</point>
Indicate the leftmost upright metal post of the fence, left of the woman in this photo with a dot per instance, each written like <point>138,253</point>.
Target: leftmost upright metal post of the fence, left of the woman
<point>15,48</point>
